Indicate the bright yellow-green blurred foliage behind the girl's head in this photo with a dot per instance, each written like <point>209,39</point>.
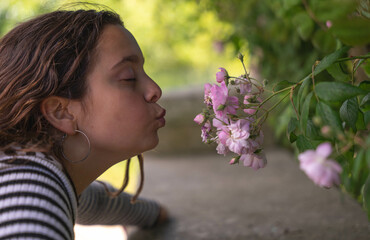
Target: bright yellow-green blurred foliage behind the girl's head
<point>180,41</point>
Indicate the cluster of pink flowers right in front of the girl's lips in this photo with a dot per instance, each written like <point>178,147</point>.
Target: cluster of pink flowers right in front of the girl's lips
<point>230,120</point>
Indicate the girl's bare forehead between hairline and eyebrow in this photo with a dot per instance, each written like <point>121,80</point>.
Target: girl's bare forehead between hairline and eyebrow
<point>115,43</point>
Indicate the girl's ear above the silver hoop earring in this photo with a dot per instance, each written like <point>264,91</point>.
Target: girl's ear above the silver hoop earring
<point>57,111</point>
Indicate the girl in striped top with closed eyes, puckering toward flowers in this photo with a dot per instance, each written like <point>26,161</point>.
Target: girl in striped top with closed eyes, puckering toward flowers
<point>74,100</point>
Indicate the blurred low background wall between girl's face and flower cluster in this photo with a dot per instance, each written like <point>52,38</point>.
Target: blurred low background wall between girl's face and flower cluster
<point>181,135</point>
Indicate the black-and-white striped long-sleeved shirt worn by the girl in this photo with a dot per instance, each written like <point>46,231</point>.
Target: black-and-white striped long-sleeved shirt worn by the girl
<point>38,201</point>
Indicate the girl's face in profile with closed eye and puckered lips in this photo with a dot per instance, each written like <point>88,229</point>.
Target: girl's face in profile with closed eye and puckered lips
<point>120,113</point>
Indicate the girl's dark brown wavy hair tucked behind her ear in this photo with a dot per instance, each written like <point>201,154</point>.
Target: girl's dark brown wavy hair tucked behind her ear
<point>46,56</point>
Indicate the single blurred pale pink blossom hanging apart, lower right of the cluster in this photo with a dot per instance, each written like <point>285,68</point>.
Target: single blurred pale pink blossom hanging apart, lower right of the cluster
<point>322,171</point>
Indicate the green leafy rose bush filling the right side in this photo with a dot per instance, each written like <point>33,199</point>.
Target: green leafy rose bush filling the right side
<point>319,51</point>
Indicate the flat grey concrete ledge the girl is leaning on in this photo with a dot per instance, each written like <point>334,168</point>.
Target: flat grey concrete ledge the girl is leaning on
<point>211,200</point>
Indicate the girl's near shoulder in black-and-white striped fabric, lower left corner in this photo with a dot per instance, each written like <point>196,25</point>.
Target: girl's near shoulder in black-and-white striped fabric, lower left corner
<point>35,199</point>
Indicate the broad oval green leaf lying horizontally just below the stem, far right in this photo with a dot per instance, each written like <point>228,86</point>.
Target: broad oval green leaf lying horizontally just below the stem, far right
<point>337,91</point>
